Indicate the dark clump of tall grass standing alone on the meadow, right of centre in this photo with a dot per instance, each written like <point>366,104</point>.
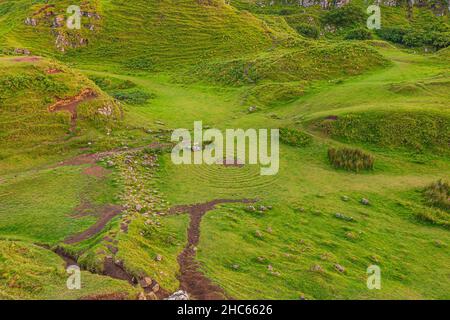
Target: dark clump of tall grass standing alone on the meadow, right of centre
<point>350,159</point>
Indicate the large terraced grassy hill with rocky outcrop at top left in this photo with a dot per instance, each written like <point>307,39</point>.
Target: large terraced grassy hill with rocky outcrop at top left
<point>170,33</point>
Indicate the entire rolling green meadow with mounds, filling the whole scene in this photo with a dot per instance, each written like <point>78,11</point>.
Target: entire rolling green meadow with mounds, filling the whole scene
<point>86,118</point>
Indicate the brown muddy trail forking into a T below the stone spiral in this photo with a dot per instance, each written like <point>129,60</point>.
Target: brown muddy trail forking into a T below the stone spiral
<point>192,280</point>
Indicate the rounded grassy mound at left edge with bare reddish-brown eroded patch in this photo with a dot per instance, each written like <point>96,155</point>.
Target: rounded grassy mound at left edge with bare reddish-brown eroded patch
<point>28,87</point>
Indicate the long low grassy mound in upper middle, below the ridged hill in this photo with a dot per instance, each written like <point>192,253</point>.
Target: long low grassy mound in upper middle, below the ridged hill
<point>314,62</point>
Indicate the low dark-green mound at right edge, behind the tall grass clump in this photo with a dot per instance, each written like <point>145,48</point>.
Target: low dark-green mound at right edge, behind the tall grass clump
<point>417,130</point>
